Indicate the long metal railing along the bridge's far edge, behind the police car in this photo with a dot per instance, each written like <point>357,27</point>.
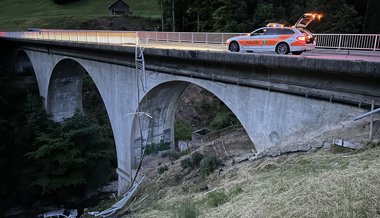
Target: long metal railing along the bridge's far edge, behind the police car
<point>370,42</point>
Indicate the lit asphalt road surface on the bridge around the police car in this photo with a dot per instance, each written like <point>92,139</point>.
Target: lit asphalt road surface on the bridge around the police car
<point>352,55</point>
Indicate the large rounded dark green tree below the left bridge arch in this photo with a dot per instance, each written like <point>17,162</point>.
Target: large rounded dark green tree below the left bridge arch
<point>77,153</point>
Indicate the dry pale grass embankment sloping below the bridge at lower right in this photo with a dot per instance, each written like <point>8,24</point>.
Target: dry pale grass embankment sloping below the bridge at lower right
<point>316,184</point>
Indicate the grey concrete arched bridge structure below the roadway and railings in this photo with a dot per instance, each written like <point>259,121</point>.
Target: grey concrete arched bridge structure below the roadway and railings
<point>275,97</point>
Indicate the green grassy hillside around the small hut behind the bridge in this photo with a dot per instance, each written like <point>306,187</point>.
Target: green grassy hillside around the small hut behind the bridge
<point>23,14</point>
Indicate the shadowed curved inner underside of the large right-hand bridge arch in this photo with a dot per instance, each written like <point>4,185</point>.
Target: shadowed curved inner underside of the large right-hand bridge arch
<point>155,116</point>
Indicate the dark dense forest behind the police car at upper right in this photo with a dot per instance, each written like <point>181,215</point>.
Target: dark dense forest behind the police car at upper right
<point>339,16</point>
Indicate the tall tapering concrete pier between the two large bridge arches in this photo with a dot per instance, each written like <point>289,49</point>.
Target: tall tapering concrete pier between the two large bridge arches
<point>118,87</point>
